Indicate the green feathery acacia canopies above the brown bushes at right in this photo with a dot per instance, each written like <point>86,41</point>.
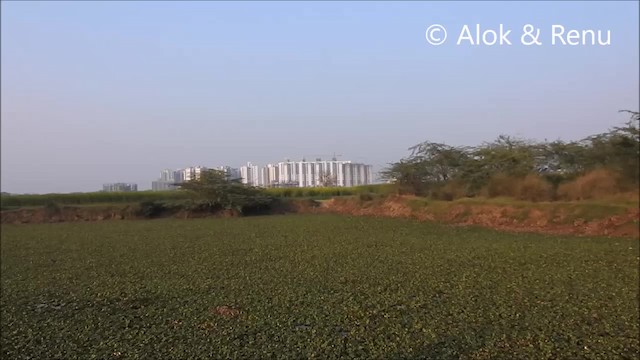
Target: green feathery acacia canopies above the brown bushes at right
<point>431,165</point>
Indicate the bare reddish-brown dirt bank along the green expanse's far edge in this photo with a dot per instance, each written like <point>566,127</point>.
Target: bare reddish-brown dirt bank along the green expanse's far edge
<point>552,219</point>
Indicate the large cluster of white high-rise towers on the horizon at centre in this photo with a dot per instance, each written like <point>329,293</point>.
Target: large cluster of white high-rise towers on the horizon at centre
<point>317,173</point>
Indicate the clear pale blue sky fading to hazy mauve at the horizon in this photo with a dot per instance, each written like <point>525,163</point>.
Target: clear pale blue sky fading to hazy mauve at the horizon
<point>98,92</point>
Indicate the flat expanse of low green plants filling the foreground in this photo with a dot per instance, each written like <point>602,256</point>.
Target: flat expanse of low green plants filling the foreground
<point>313,286</point>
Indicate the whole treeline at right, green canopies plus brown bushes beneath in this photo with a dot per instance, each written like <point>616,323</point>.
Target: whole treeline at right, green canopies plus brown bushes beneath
<point>595,167</point>
